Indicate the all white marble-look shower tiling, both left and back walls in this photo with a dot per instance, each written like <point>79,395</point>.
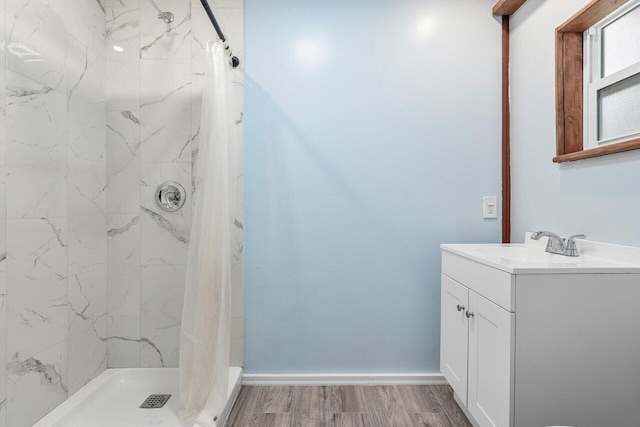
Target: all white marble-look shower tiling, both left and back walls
<point>91,273</point>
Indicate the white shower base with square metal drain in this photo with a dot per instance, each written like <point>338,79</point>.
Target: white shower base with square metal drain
<point>114,398</point>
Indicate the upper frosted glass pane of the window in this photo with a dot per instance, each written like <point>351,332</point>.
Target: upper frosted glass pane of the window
<point>621,43</point>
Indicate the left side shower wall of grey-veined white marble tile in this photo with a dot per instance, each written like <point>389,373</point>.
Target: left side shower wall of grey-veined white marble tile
<point>53,203</point>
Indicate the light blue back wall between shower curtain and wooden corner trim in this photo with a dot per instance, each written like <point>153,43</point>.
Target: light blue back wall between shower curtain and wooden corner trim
<point>372,131</point>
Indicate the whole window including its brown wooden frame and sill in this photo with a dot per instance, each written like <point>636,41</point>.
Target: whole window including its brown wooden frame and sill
<point>598,81</point>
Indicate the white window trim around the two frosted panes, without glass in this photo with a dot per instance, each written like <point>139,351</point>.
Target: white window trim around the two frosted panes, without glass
<point>593,82</point>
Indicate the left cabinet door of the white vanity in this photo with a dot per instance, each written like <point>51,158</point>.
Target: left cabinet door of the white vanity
<point>454,336</point>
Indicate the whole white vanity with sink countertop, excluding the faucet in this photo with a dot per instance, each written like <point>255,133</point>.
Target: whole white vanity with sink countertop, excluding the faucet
<point>531,339</point>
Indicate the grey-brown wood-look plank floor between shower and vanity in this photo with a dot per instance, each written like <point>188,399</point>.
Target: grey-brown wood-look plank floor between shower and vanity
<point>347,406</point>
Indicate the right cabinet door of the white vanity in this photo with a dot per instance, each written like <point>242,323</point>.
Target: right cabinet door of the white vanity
<point>491,344</point>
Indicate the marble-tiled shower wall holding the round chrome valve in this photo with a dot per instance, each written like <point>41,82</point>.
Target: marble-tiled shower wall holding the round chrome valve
<point>154,91</point>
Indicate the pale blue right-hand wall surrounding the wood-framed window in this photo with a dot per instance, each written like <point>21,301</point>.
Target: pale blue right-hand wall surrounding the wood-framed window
<point>599,197</point>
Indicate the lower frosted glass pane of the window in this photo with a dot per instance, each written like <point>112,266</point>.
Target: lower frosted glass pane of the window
<point>619,109</point>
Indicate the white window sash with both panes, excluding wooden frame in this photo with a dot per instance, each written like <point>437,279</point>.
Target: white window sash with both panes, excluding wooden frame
<point>612,78</point>
